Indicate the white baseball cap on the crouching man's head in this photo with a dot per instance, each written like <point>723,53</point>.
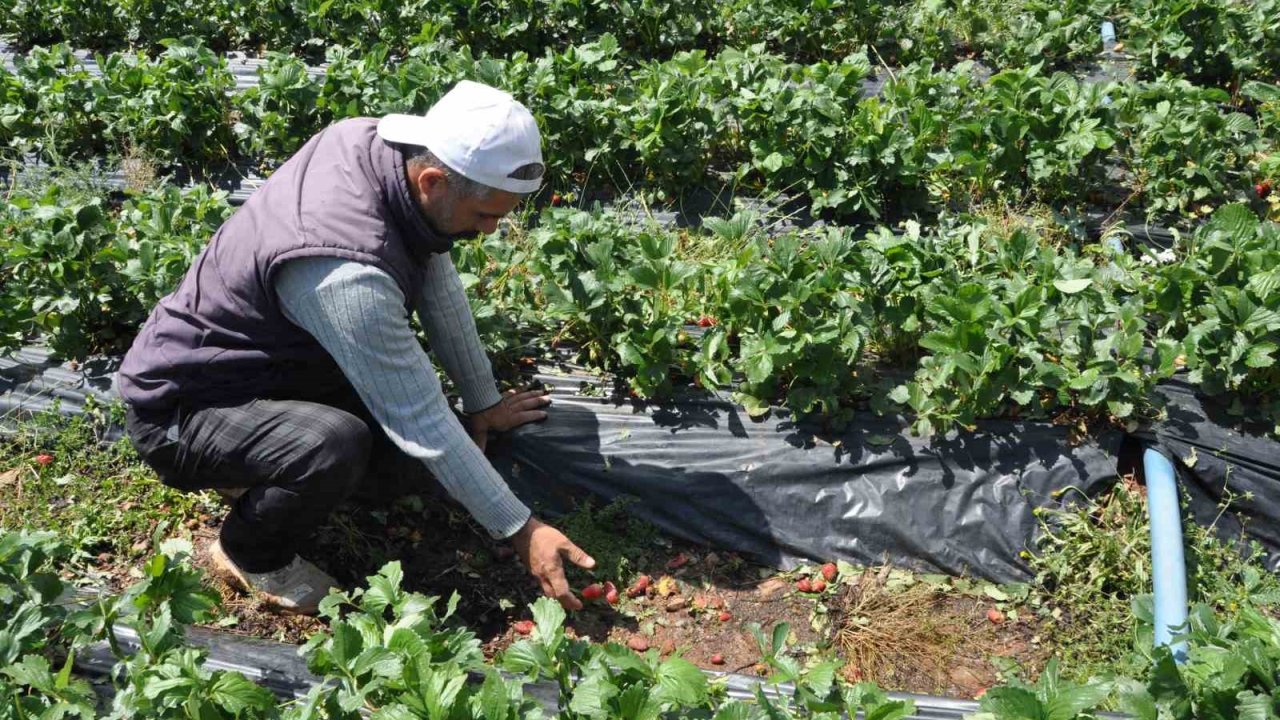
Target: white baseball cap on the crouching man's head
<point>478,131</point>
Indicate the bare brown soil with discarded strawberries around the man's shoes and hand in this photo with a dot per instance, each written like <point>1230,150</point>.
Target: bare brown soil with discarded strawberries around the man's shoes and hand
<point>903,632</point>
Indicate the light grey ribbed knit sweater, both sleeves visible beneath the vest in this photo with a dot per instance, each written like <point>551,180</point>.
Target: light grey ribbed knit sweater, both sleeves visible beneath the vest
<point>356,313</point>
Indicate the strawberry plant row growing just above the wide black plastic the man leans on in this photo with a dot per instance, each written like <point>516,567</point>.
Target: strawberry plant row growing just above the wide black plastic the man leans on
<point>984,316</point>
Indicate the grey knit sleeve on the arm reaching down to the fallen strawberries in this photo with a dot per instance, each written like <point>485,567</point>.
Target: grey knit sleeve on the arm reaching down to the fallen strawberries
<point>356,313</point>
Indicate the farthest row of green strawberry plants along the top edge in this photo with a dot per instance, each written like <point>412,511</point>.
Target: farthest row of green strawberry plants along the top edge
<point>1220,43</point>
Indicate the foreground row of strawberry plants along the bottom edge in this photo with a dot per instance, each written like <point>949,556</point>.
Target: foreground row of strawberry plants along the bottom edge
<point>397,655</point>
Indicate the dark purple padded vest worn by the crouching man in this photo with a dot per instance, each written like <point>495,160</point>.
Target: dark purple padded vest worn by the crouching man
<point>221,339</point>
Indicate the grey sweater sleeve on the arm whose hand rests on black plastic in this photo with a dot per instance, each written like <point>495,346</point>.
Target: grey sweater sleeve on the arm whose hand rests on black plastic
<point>446,315</point>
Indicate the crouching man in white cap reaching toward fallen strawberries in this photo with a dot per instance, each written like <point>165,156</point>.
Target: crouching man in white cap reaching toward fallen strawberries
<point>285,364</point>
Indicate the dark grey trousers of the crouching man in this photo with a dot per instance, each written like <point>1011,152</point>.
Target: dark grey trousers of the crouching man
<point>299,458</point>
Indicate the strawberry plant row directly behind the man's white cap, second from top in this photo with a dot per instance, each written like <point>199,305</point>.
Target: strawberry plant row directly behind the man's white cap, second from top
<point>748,119</point>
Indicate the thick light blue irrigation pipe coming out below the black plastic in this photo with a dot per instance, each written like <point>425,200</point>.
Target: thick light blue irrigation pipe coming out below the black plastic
<point>1168,560</point>
